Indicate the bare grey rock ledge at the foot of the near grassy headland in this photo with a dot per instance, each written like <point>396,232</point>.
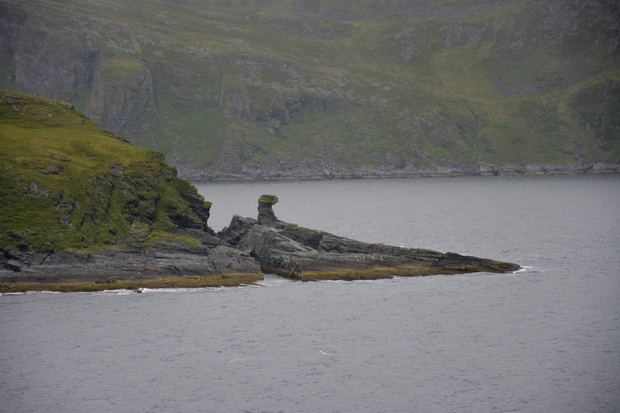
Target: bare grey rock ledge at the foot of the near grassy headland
<point>137,258</point>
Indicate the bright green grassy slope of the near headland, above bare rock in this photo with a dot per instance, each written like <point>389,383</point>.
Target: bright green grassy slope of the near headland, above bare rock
<point>66,184</point>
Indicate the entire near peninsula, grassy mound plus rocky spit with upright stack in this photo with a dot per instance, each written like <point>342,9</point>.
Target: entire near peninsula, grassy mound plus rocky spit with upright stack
<point>84,210</point>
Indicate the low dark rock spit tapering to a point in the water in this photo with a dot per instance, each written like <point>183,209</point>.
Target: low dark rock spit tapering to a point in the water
<point>307,254</point>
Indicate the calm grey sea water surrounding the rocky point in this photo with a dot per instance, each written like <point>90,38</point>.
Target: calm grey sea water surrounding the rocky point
<point>544,339</point>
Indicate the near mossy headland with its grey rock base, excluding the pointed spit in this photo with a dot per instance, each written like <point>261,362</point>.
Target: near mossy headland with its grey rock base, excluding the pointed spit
<point>80,206</point>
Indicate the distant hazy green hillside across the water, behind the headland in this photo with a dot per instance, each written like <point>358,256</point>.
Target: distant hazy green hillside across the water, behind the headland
<point>301,87</point>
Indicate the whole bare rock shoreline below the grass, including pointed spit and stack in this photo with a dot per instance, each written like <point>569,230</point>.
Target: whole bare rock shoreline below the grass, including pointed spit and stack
<point>237,255</point>
